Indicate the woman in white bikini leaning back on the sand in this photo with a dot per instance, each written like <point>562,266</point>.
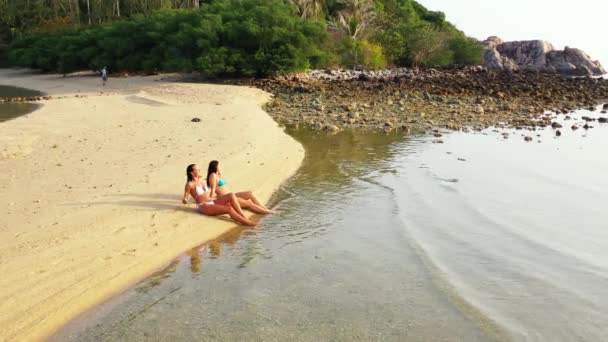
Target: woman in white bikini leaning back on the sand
<point>225,204</point>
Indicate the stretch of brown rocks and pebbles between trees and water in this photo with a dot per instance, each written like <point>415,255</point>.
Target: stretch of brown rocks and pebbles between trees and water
<point>422,100</point>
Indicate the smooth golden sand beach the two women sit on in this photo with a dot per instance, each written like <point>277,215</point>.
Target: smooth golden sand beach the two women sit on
<point>92,182</point>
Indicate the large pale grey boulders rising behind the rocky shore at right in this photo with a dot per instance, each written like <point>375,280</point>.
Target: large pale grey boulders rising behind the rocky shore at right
<point>538,55</point>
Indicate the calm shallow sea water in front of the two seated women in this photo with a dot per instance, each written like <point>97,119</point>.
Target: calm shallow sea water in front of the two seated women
<point>381,237</point>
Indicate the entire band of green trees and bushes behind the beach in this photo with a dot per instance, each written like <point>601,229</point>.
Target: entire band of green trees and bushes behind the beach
<point>229,37</point>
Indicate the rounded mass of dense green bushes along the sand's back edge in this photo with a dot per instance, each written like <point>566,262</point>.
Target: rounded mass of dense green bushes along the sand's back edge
<point>237,37</point>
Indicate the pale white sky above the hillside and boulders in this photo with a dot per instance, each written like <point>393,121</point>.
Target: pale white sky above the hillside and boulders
<point>578,24</point>
